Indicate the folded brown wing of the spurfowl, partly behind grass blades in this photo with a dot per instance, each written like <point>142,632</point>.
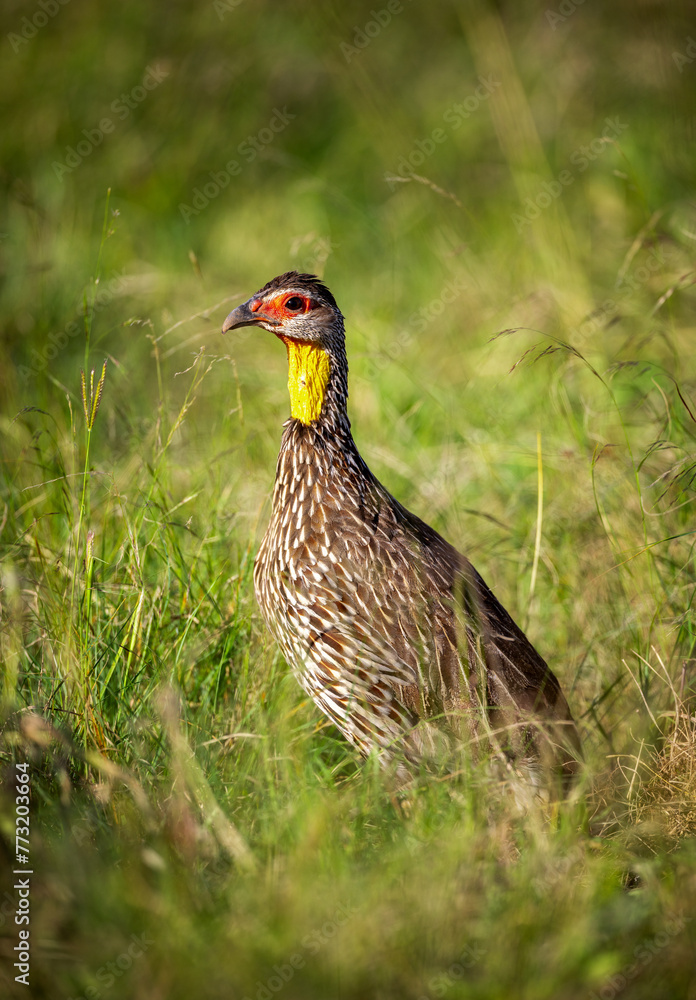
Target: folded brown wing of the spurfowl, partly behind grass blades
<point>439,616</point>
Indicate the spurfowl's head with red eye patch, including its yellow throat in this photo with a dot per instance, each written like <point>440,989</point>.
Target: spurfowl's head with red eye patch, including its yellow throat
<point>301,311</point>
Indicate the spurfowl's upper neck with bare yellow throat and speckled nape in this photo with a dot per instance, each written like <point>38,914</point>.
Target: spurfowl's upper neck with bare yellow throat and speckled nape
<point>317,381</point>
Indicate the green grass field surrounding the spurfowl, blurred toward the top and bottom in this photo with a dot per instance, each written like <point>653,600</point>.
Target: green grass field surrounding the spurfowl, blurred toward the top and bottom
<point>187,802</point>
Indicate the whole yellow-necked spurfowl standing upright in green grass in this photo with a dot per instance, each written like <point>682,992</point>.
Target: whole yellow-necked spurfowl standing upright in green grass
<point>388,628</point>
